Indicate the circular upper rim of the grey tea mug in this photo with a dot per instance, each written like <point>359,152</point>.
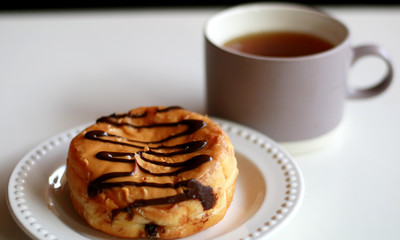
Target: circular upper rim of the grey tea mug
<point>274,5</point>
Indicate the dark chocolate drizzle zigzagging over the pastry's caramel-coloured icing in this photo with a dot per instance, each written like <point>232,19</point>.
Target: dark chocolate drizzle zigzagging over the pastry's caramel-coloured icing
<point>151,153</point>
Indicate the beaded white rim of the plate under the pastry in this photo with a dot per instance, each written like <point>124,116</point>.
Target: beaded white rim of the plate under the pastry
<point>291,204</point>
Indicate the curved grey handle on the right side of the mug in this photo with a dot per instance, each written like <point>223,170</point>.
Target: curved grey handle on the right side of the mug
<point>371,50</point>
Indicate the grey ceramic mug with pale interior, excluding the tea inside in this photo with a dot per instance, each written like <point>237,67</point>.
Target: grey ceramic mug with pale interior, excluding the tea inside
<point>290,99</point>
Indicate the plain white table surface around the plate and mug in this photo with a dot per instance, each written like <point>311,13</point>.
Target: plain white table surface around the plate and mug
<point>61,69</point>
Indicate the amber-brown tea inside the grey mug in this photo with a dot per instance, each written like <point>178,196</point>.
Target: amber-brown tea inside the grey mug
<point>279,44</point>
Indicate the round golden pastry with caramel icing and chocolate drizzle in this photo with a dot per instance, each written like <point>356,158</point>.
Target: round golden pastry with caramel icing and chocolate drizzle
<point>154,172</point>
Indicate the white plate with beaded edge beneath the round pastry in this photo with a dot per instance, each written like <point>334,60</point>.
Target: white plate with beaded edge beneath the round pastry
<point>269,190</point>
